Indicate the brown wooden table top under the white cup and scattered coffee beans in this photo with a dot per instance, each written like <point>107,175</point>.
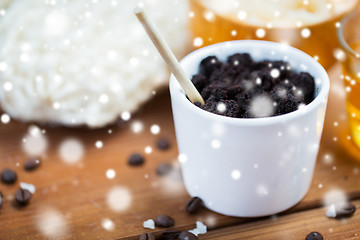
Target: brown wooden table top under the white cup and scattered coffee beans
<point>78,201</point>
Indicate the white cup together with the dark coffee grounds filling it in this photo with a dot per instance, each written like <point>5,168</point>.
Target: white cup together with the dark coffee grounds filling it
<point>250,150</point>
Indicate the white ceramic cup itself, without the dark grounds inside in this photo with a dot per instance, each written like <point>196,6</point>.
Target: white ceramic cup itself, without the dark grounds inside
<point>249,167</point>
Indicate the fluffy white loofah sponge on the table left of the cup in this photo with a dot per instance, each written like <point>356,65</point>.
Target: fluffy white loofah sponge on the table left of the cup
<point>83,62</point>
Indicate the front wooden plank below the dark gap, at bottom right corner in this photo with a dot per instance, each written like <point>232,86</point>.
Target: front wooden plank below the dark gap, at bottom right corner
<point>294,226</point>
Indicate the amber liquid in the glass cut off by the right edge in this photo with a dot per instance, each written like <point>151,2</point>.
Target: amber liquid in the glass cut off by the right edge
<point>351,70</point>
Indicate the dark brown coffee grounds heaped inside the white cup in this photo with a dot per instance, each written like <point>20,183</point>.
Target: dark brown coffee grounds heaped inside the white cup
<point>244,88</point>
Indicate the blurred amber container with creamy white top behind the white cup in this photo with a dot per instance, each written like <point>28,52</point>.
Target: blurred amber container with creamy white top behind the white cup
<point>309,25</point>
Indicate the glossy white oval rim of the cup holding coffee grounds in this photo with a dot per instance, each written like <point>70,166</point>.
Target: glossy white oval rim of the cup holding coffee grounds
<point>178,92</point>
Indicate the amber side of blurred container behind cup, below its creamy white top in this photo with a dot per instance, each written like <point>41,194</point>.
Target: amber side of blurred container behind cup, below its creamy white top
<point>320,44</point>
